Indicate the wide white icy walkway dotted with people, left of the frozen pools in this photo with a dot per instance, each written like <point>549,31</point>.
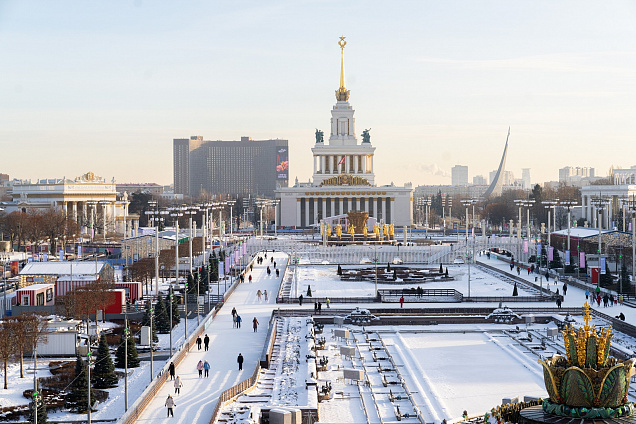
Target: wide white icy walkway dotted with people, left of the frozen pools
<point>197,400</point>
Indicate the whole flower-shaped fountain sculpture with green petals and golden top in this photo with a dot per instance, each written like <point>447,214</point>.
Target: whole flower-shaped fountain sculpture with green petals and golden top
<point>588,383</point>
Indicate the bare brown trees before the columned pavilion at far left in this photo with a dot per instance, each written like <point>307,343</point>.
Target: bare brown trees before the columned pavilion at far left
<point>37,226</point>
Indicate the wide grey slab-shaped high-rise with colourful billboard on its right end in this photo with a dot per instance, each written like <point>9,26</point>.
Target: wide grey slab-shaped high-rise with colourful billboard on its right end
<point>256,167</point>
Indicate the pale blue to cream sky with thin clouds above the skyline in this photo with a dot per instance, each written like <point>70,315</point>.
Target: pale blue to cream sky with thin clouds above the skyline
<point>106,86</point>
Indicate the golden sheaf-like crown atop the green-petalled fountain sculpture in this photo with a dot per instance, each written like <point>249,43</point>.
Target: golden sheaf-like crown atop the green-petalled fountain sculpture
<point>587,348</point>
